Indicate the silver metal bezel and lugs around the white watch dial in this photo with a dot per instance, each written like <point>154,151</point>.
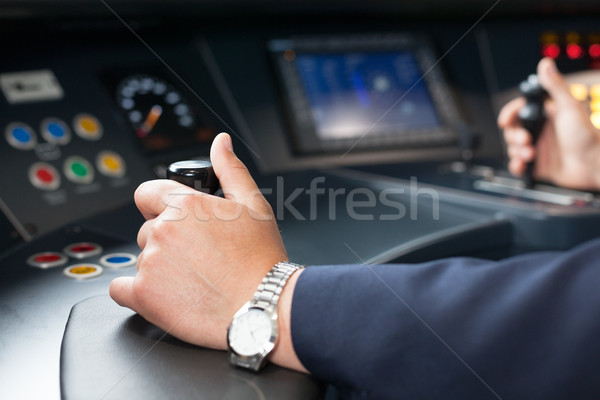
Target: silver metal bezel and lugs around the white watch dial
<point>258,360</point>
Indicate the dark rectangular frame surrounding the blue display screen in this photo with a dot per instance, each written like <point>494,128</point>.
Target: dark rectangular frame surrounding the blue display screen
<point>304,138</point>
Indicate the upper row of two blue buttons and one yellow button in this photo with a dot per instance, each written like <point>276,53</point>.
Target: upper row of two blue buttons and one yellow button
<point>54,130</point>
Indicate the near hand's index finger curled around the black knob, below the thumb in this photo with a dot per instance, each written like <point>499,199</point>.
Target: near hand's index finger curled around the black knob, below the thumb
<point>153,197</point>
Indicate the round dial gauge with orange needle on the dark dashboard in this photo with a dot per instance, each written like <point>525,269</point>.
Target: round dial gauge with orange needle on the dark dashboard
<point>159,114</point>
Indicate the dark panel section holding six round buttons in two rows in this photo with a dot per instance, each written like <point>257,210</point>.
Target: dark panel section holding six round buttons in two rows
<point>65,161</point>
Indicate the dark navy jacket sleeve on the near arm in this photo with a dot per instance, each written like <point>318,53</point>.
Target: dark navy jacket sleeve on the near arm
<point>527,327</point>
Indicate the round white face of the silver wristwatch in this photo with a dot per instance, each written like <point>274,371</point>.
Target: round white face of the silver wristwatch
<point>251,332</point>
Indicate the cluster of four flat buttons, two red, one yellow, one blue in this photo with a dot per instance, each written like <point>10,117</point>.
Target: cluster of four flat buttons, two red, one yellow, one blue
<point>51,259</point>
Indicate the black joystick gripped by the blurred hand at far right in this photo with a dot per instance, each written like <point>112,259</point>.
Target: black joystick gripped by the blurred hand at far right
<point>533,117</point>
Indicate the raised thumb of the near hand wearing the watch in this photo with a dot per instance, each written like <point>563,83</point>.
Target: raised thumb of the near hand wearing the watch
<point>235,180</point>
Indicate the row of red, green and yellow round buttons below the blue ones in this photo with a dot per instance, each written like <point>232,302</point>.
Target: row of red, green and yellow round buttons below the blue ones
<point>77,169</point>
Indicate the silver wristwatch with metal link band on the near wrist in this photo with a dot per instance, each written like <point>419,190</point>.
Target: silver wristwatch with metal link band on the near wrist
<point>253,330</point>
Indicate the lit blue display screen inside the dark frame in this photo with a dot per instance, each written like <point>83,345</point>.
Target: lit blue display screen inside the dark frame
<point>354,94</point>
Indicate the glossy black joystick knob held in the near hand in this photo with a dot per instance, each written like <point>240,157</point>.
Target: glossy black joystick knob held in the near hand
<point>197,174</point>
